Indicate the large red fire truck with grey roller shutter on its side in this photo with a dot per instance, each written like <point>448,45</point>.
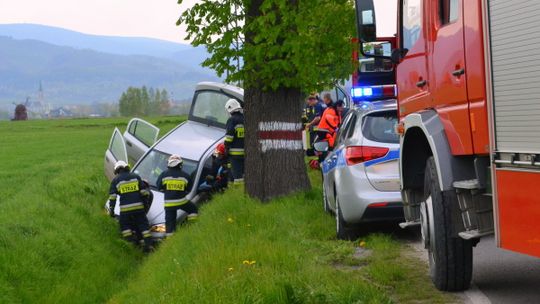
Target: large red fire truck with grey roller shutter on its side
<point>468,78</point>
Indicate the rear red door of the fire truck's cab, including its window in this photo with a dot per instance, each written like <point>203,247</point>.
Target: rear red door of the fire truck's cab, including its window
<point>447,73</point>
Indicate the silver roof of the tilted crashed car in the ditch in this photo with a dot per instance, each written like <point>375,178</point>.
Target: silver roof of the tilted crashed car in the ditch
<point>190,140</point>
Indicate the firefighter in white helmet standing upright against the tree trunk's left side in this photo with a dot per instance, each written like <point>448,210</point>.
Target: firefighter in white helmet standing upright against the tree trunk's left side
<point>234,139</point>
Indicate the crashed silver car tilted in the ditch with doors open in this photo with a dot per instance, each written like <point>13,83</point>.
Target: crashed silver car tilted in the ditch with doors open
<point>194,140</point>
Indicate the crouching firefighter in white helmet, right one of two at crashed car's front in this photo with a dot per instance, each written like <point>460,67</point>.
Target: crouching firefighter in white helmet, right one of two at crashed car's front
<point>175,183</point>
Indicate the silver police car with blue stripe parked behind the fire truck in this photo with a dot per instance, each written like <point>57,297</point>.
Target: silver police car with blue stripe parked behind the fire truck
<point>360,176</point>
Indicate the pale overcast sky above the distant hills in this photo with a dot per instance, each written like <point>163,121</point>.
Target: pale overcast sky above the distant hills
<point>139,18</point>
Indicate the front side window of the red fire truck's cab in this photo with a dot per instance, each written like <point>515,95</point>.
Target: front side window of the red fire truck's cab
<point>412,22</point>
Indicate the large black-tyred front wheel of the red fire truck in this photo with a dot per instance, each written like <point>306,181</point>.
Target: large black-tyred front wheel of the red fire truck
<point>450,258</point>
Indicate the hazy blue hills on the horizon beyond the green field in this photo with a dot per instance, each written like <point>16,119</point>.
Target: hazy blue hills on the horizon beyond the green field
<point>75,75</point>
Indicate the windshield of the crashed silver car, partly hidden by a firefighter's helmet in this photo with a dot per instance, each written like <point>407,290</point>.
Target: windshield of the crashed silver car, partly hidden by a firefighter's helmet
<point>155,162</point>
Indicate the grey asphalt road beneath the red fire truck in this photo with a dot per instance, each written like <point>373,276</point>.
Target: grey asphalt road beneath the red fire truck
<point>504,276</point>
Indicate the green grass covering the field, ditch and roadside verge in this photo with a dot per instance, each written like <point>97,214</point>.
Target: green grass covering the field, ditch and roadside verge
<point>58,246</point>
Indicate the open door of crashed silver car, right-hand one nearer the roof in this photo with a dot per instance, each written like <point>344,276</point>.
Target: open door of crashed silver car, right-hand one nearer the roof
<point>139,136</point>
